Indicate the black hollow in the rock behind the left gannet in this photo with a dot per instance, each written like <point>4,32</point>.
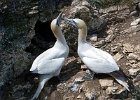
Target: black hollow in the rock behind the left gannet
<point>43,38</point>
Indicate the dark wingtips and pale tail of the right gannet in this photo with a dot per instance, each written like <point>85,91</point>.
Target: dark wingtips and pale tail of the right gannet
<point>121,78</point>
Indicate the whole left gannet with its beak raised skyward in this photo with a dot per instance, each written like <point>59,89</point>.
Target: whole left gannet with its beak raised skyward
<point>50,62</point>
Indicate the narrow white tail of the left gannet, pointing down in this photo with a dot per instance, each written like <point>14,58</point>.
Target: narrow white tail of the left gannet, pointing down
<point>43,80</point>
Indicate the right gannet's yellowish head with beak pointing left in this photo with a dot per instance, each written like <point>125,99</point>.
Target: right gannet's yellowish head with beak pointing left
<point>78,23</point>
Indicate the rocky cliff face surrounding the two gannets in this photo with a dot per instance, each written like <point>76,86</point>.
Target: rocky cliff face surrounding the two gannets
<point>25,33</point>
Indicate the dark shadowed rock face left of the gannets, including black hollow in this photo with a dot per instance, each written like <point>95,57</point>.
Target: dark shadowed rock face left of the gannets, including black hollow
<point>24,33</point>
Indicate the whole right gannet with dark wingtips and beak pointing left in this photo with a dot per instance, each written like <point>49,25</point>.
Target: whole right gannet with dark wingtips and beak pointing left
<point>97,60</point>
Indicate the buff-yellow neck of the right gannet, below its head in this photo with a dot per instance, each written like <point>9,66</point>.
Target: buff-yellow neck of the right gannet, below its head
<point>82,35</point>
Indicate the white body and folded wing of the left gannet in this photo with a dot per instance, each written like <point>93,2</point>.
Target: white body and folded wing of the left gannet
<point>49,61</point>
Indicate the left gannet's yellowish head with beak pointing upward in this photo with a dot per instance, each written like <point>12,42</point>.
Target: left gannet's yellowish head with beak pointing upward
<point>56,22</point>
